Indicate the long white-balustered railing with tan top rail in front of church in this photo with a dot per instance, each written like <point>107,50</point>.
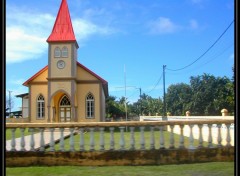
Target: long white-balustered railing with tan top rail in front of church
<point>46,136</point>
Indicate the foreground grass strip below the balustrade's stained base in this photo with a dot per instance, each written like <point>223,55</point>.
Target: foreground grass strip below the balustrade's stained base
<point>202,169</point>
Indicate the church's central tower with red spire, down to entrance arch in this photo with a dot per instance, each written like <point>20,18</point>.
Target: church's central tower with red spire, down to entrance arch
<point>62,64</point>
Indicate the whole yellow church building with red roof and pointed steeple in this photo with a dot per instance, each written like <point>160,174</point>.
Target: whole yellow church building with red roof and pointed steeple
<point>65,90</point>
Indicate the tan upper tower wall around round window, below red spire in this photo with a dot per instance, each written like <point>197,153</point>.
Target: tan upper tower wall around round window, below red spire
<point>66,71</point>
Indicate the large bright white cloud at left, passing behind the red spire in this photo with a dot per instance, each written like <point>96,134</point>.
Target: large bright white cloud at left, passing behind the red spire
<point>27,32</point>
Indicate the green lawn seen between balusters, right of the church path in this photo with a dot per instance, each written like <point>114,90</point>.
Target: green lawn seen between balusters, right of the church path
<point>137,134</point>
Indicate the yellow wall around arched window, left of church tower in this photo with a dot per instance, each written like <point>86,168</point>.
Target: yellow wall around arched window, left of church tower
<point>35,91</point>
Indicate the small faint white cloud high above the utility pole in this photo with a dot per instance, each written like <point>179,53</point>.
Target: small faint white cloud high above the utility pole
<point>162,26</point>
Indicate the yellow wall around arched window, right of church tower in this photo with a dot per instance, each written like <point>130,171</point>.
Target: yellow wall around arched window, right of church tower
<point>82,92</point>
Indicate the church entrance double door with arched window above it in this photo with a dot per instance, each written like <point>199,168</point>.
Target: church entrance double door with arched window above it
<point>65,109</point>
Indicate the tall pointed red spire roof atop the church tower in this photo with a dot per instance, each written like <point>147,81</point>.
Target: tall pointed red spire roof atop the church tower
<point>62,29</point>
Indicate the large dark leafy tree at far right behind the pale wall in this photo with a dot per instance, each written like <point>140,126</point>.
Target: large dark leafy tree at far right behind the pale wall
<point>211,94</point>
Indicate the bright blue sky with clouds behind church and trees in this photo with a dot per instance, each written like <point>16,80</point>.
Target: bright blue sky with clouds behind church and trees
<point>140,35</point>
